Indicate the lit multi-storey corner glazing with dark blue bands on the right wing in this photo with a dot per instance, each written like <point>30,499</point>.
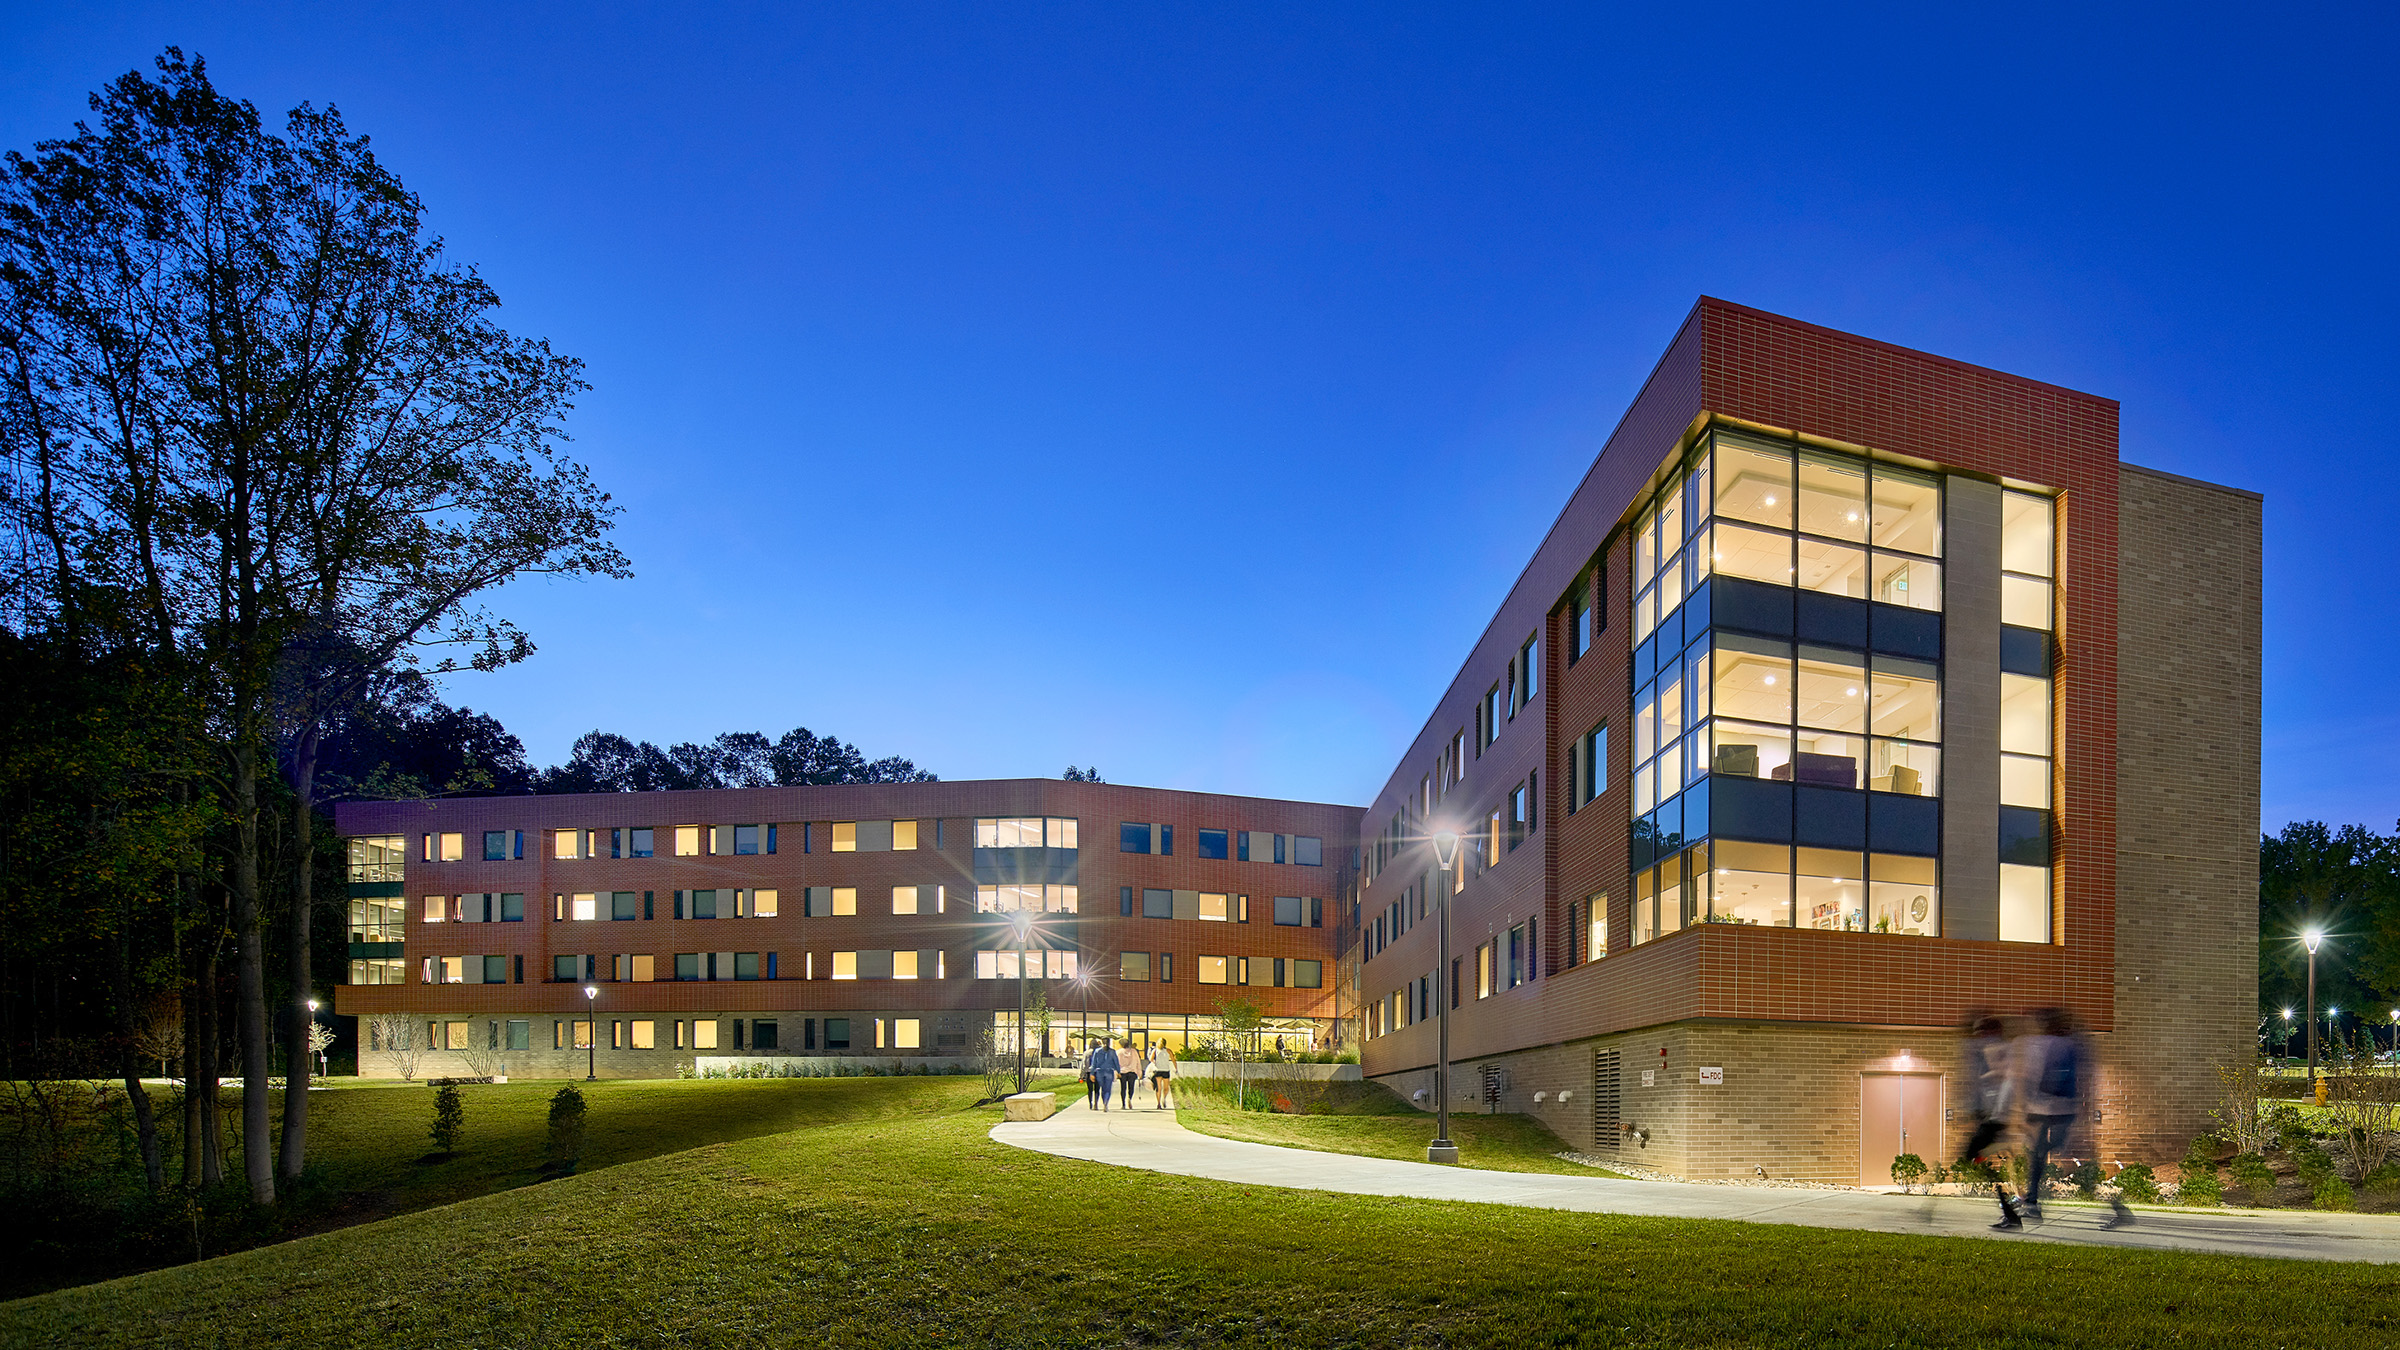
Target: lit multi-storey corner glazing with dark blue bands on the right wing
<point>1732,686</point>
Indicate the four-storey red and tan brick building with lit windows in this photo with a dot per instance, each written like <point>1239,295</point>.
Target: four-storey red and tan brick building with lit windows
<point>1852,691</point>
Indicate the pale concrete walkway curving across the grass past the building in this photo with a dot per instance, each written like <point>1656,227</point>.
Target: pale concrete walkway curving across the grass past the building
<point>1156,1142</point>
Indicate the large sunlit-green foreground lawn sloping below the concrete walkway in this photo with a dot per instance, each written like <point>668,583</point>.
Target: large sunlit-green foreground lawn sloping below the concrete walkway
<point>916,1229</point>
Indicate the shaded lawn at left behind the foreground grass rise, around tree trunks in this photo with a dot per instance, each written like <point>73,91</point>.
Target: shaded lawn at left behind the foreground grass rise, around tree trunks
<point>371,1159</point>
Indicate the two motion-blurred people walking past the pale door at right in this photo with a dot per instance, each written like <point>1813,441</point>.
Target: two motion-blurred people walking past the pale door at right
<point>2041,1082</point>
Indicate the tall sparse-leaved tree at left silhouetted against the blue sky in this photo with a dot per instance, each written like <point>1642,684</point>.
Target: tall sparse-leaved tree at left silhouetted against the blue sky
<point>284,434</point>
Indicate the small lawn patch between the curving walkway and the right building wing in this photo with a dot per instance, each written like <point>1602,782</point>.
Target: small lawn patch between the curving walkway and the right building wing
<point>1372,1123</point>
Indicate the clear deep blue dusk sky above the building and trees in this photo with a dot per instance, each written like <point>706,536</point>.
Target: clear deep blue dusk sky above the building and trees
<point>1180,388</point>
